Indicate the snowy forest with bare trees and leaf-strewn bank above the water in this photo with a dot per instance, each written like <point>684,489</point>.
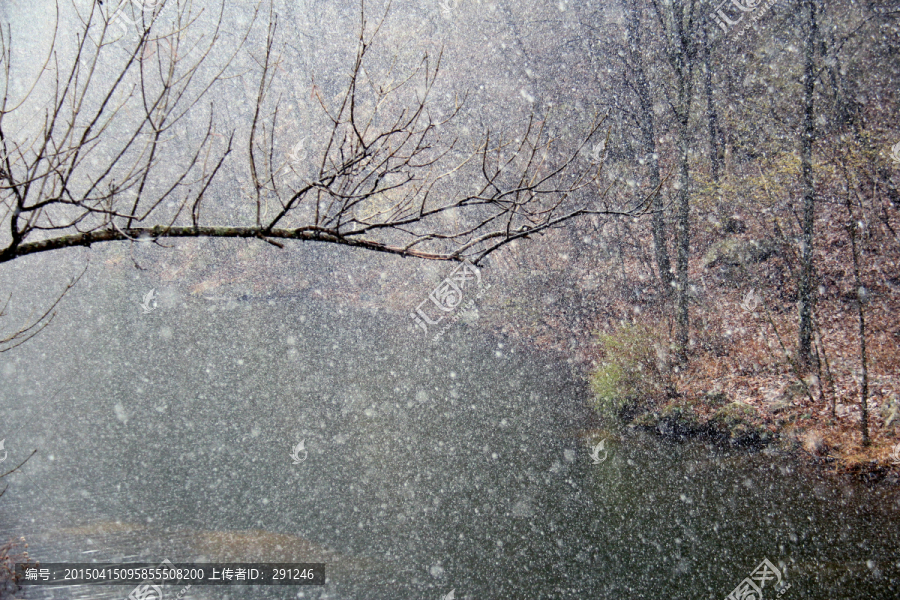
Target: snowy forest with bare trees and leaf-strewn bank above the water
<point>691,208</point>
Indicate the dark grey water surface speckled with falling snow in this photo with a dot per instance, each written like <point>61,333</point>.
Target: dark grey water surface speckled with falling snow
<point>431,467</point>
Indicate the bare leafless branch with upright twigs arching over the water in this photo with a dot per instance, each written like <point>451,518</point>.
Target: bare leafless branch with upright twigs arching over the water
<point>128,150</point>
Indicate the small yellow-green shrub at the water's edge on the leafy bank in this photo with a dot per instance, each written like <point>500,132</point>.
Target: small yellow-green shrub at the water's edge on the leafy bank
<point>632,373</point>
